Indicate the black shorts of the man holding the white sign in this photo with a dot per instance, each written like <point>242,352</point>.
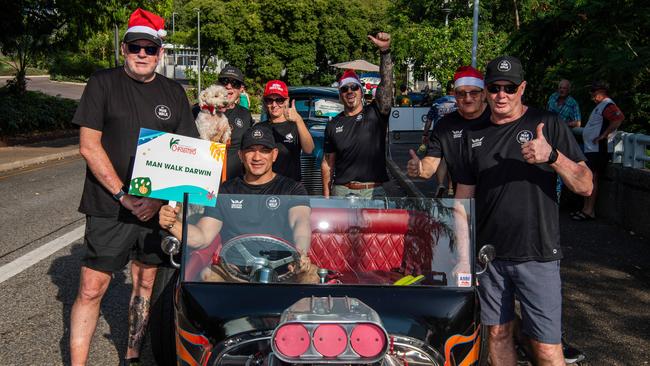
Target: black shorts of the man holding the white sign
<point>110,244</point>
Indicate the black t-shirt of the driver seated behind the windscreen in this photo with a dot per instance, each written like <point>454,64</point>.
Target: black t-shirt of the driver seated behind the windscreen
<point>242,206</point>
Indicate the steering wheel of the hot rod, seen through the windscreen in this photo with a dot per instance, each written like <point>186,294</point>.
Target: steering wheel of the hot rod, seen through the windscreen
<point>244,255</point>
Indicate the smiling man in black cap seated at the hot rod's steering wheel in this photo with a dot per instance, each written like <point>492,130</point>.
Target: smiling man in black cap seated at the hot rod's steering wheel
<point>287,217</point>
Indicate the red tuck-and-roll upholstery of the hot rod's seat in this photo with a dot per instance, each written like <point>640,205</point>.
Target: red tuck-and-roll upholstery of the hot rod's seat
<point>358,240</point>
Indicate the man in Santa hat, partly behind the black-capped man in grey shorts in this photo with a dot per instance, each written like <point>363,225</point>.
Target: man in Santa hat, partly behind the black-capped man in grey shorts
<point>446,139</point>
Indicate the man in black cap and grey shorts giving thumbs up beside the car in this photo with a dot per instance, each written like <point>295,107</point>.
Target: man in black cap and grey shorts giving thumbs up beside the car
<point>513,161</point>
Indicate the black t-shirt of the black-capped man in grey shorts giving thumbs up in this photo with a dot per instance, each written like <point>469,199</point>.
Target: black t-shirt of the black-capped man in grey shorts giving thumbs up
<point>516,202</point>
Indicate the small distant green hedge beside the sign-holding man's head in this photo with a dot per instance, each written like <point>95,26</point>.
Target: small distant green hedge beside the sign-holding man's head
<point>74,66</point>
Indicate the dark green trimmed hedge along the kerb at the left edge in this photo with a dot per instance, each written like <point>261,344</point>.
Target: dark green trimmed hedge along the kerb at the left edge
<point>34,111</point>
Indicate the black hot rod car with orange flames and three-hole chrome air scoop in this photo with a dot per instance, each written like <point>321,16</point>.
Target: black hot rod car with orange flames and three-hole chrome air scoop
<point>390,289</point>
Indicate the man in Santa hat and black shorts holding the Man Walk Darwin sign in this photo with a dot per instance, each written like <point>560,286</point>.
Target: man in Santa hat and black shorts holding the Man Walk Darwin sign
<point>115,104</point>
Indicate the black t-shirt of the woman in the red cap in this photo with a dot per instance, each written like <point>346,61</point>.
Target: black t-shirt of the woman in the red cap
<point>289,148</point>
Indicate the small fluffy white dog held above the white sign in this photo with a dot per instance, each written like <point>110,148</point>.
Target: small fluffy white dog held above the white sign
<point>211,121</point>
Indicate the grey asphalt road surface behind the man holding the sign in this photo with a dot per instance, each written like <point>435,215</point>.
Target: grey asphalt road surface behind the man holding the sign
<point>40,206</point>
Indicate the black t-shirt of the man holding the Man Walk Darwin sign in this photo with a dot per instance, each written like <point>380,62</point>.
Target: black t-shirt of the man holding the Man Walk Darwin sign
<point>119,106</point>
